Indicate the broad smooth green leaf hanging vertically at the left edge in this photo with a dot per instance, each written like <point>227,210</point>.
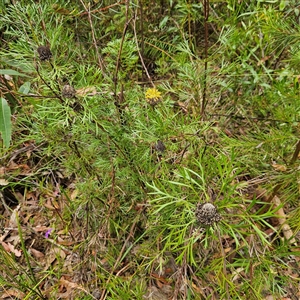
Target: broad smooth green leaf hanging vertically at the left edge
<point>5,122</point>
